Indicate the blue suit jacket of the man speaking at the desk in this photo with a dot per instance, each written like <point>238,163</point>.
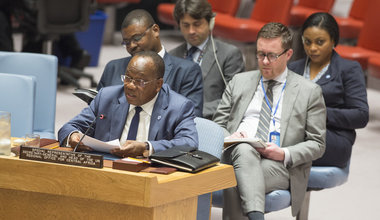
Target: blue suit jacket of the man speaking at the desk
<point>172,121</point>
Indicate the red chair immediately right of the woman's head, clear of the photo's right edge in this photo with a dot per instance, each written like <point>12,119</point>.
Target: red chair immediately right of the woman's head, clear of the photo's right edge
<point>349,28</point>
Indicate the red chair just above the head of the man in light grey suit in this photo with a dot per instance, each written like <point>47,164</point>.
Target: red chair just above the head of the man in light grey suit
<point>246,29</point>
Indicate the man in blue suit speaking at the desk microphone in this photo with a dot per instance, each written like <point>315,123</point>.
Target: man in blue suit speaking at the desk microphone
<point>164,118</point>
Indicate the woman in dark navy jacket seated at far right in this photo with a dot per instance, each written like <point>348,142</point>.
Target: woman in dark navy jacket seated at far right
<point>343,86</point>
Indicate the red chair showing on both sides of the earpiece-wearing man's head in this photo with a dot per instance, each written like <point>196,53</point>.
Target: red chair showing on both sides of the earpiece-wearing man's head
<point>165,10</point>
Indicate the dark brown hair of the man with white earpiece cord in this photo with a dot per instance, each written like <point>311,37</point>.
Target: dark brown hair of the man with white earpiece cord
<point>197,9</point>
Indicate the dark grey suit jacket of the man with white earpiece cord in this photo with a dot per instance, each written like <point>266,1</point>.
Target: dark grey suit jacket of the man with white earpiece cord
<point>231,61</point>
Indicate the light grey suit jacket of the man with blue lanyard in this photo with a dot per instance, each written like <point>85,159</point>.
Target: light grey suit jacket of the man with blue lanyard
<point>303,123</point>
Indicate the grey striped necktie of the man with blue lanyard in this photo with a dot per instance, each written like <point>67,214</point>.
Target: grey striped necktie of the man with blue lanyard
<point>265,113</point>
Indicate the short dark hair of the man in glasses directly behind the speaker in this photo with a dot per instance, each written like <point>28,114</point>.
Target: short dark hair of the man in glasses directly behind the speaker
<point>138,16</point>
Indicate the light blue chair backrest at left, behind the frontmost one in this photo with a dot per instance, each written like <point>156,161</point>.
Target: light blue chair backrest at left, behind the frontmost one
<point>44,68</point>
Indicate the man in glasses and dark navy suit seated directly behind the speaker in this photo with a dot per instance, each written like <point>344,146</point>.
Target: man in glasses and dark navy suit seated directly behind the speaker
<point>141,33</point>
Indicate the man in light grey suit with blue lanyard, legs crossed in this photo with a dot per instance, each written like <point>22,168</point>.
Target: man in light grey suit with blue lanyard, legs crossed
<point>284,110</point>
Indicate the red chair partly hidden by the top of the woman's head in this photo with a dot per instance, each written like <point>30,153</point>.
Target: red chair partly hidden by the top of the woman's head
<point>305,8</point>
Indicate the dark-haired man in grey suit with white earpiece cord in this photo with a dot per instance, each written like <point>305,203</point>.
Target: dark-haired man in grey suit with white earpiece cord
<point>195,19</point>
